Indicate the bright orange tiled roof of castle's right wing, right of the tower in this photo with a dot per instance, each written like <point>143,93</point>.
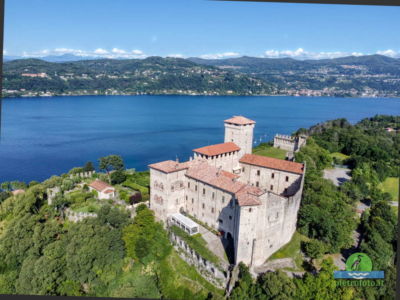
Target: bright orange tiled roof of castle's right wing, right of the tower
<point>273,163</point>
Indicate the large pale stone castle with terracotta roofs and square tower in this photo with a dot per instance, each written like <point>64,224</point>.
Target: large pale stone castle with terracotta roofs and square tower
<point>251,200</point>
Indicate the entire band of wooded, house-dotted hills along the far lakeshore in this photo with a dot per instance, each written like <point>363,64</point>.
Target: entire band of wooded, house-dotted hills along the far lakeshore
<point>371,75</point>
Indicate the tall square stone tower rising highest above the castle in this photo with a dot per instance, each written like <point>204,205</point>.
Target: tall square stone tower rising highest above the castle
<point>239,130</point>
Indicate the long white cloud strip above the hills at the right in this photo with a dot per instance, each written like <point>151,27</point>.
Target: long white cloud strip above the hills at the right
<point>300,53</point>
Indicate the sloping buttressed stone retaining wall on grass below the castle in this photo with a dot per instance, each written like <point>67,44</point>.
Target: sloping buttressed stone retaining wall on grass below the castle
<point>208,270</point>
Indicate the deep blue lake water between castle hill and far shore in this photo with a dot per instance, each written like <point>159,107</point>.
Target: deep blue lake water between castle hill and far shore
<point>41,137</point>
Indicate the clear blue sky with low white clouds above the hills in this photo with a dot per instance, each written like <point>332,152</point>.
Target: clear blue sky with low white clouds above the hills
<point>201,28</point>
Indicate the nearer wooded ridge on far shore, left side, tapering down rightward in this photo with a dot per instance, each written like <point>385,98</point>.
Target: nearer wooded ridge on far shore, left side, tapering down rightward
<point>152,75</point>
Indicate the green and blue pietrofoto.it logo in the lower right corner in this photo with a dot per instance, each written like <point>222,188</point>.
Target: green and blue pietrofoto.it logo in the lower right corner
<point>358,266</point>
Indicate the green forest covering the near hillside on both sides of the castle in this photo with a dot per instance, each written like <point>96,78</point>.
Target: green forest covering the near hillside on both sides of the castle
<point>122,255</point>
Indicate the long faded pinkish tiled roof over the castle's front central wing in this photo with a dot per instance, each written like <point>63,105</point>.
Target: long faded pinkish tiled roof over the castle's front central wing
<point>246,194</point>
